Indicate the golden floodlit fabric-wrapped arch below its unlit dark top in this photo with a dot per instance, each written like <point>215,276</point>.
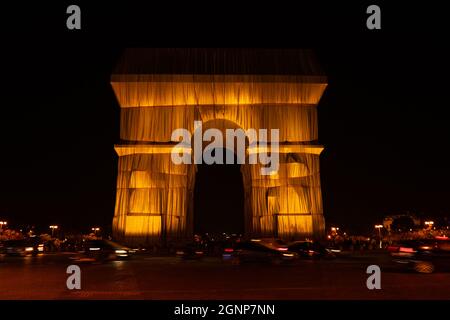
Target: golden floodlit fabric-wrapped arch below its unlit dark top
<point>154,198</point>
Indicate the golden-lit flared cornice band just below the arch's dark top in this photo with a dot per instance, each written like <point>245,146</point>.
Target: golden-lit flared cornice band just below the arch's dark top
<point>184,90</point>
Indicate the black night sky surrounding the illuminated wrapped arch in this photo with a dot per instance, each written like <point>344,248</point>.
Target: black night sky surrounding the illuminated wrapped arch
<point>383,118</point>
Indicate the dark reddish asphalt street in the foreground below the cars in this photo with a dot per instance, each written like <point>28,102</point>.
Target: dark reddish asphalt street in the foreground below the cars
<point>148,277</point>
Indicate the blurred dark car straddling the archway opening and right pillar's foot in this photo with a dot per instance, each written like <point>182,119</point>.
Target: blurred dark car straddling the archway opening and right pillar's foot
<point>259,251</point>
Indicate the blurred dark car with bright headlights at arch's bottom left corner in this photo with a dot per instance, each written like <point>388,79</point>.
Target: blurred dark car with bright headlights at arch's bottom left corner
<point>104,250</point>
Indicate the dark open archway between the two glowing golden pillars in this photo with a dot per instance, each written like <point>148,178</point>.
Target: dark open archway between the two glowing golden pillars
<point>219,198</point>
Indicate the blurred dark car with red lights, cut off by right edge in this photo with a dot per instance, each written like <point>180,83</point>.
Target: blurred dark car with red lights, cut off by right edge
<point>423,256</point>
